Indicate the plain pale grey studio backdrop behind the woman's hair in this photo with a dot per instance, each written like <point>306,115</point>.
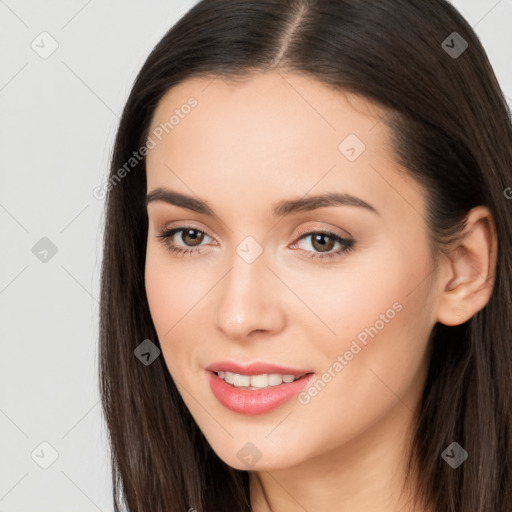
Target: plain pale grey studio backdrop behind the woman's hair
<point>66,71</point>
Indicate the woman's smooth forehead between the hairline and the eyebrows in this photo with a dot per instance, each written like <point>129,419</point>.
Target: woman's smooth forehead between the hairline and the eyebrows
<point>270,131</point>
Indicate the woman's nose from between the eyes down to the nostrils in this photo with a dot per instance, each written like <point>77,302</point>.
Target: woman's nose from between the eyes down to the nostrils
<point>247,300</point>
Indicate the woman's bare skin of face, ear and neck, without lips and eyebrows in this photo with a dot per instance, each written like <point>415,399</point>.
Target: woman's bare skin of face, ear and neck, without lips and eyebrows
<point>244,147</point>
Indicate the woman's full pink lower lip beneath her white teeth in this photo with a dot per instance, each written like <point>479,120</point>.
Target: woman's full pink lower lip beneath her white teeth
<point>257,401</point>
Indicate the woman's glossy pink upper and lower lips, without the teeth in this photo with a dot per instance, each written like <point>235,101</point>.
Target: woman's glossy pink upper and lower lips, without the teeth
<point>256,401</point>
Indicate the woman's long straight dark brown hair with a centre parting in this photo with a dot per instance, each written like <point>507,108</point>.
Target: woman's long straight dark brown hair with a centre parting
<point>452,131</point>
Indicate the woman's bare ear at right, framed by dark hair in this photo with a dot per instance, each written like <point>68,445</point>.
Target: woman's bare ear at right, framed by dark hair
<point>470,270</point>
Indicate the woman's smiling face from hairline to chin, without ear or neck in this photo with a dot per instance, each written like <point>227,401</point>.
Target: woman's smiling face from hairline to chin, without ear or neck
<point>343,290</point>
